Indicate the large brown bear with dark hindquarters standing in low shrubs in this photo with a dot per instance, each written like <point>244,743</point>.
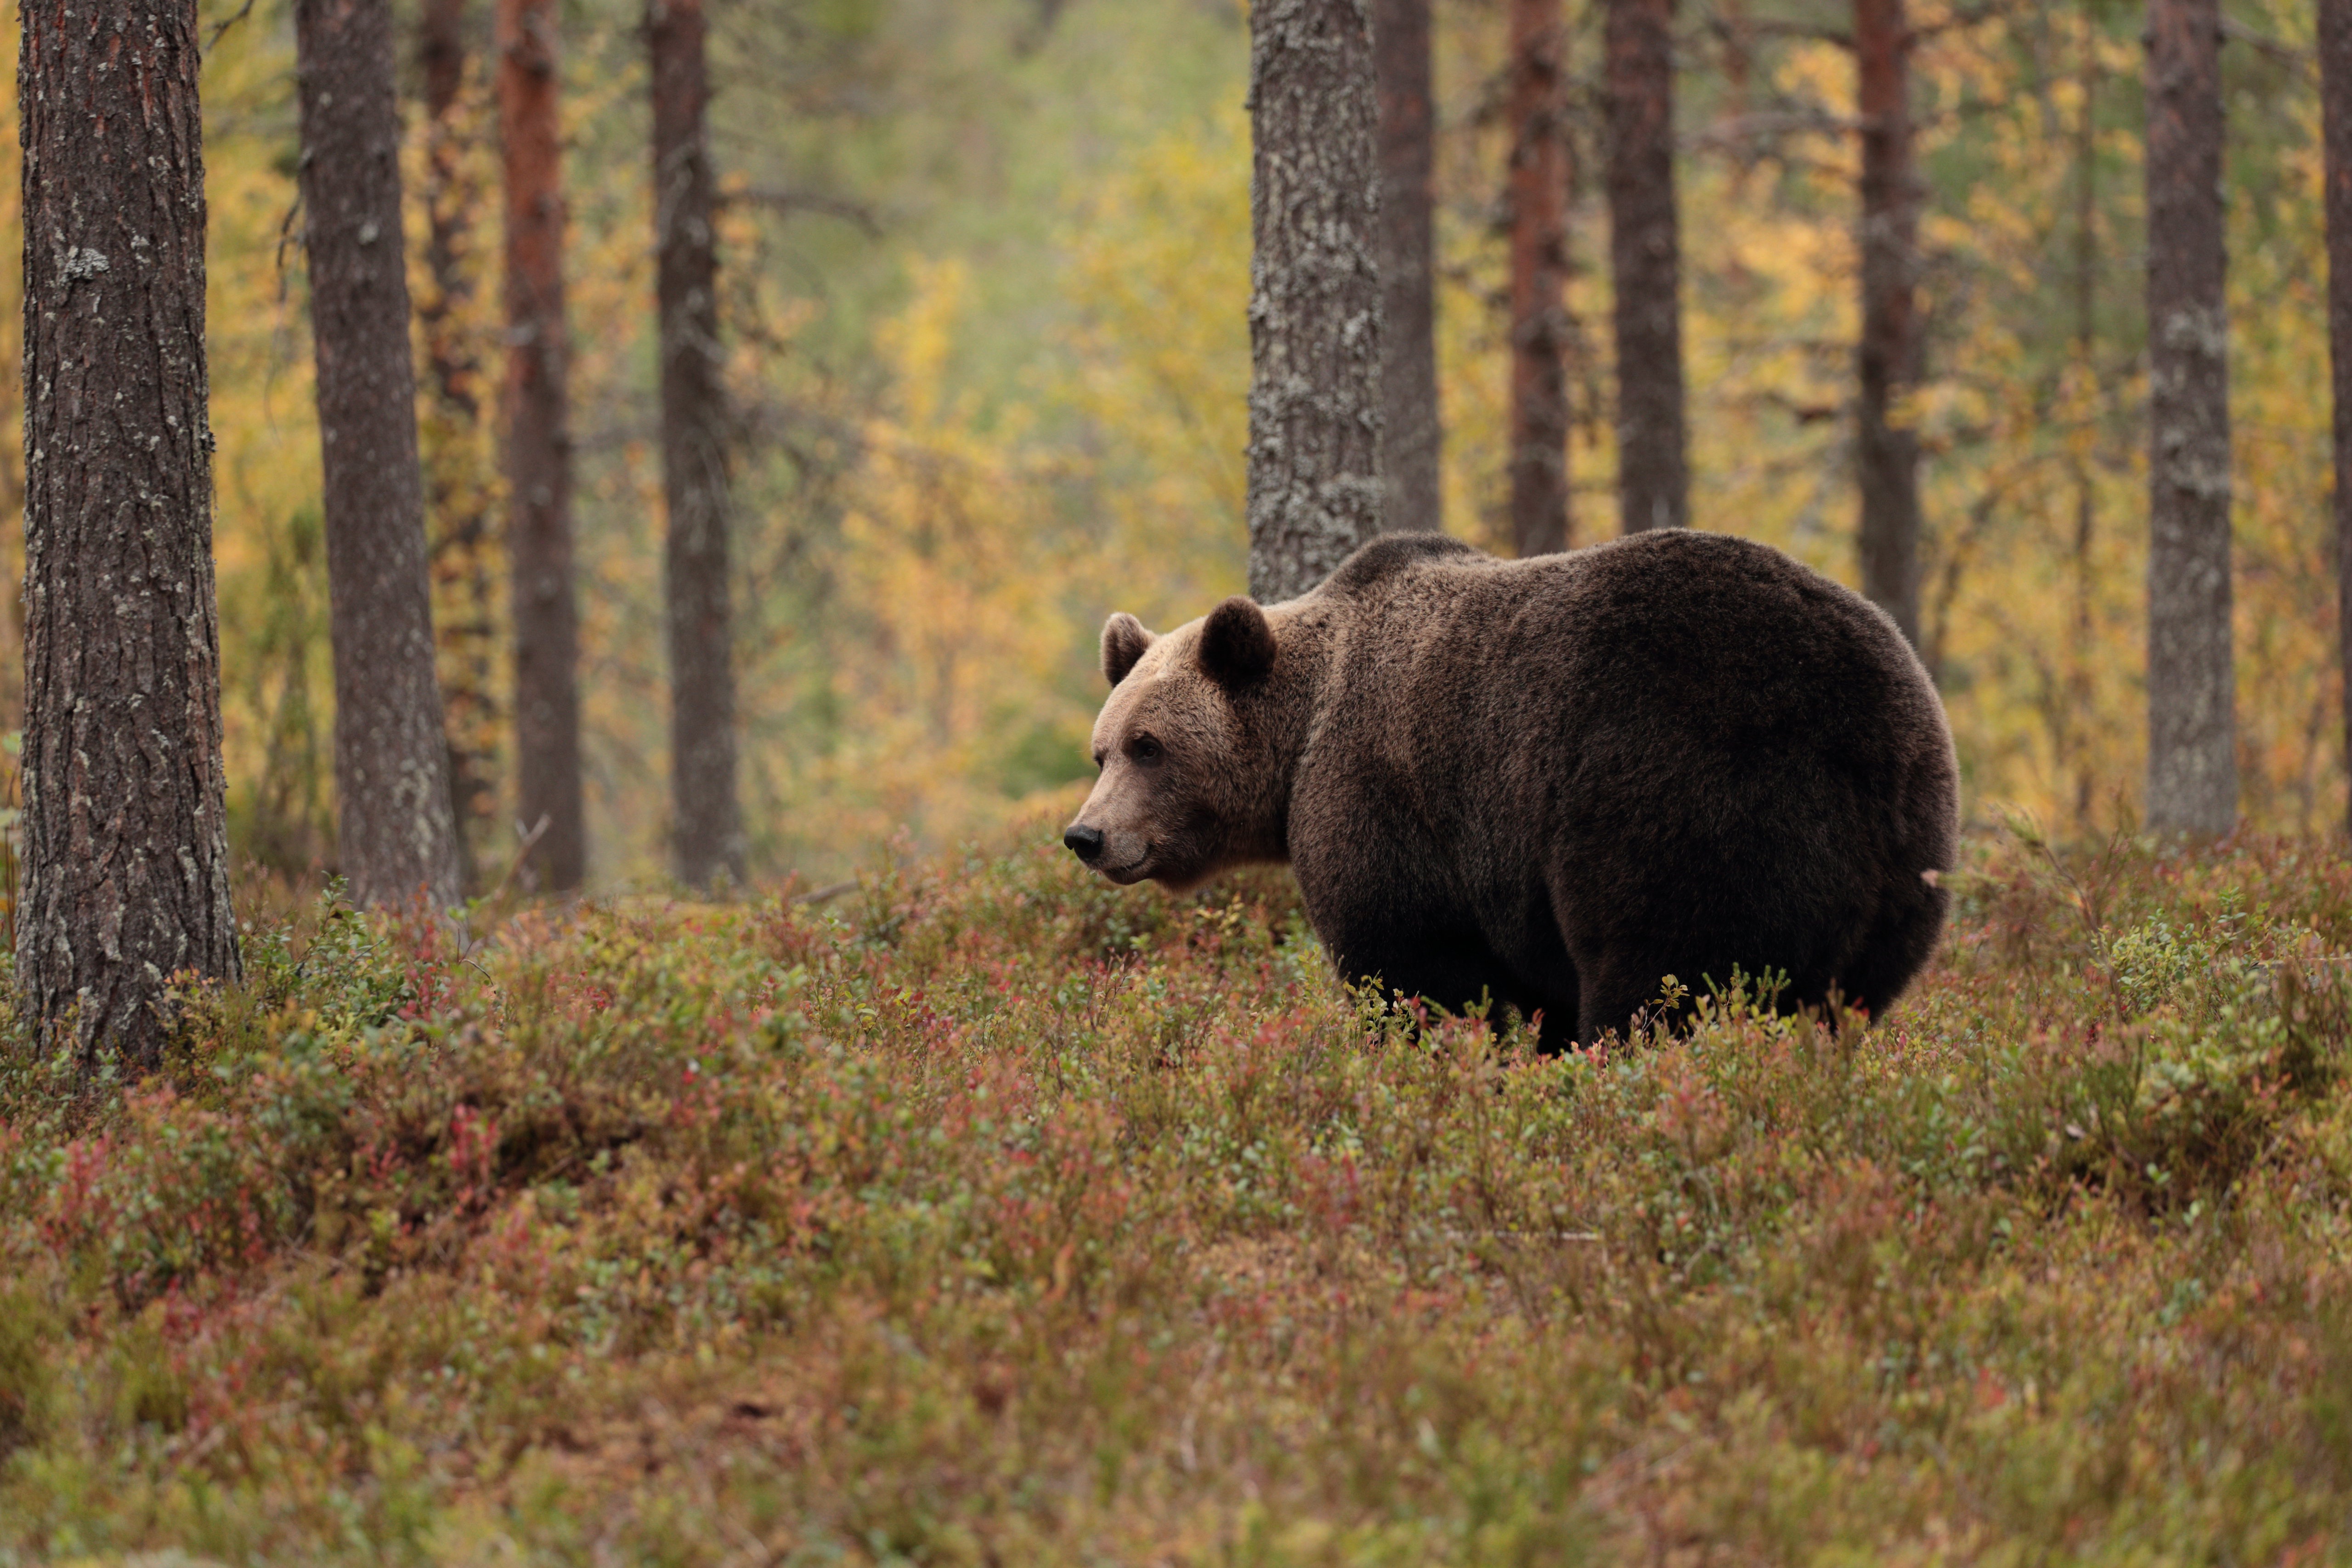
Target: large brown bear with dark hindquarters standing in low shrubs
<point>1551,782</point>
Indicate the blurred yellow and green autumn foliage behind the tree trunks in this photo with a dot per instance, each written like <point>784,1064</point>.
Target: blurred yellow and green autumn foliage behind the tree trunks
<point>984,283</point>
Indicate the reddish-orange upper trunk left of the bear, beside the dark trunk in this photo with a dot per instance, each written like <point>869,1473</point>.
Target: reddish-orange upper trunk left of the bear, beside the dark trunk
<point>540,450</point>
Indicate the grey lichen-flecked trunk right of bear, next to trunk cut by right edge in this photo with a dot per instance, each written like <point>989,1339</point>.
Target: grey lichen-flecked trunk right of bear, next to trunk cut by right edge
<point>2191,702</point>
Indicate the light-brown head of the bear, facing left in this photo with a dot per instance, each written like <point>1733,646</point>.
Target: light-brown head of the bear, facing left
<point>1191,751</point>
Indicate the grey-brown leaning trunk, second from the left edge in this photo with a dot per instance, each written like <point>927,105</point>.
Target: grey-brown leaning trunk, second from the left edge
<point>392,760</point>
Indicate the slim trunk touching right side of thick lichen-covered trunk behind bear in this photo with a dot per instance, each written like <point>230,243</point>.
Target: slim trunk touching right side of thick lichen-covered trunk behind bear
<point>1412,438</point>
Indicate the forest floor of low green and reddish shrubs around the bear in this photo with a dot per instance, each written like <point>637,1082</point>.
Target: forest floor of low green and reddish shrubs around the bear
<point>996,1217</point>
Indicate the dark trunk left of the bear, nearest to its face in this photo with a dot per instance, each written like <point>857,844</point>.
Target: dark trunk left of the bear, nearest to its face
<point>709,833</point>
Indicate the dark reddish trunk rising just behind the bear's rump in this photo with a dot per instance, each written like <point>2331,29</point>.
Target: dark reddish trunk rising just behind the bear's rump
<point>1890,359</point>
